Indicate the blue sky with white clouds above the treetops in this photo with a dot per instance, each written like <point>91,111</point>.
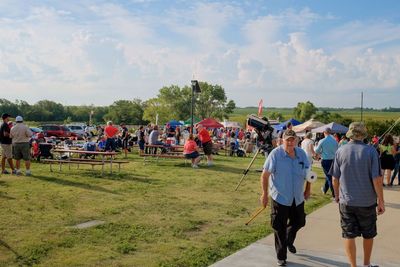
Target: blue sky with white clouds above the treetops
<point>282,51</point>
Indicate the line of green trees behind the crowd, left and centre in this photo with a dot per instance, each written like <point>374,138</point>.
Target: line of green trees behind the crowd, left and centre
<point>172,102</point>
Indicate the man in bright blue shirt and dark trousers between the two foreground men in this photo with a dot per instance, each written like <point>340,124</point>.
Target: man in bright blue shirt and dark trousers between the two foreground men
<point>327,148</point>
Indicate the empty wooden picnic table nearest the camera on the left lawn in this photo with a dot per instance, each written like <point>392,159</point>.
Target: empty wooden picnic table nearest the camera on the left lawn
<point>78,161</point>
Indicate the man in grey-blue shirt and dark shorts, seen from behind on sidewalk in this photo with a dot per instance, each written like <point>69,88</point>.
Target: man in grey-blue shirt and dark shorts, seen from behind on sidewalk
<point>357,181</point>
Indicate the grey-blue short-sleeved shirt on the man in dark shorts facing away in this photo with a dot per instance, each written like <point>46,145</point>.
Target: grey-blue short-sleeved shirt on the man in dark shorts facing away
<point>356,165</point>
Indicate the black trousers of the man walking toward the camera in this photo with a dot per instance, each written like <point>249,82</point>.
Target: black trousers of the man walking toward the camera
<point>284,231</point>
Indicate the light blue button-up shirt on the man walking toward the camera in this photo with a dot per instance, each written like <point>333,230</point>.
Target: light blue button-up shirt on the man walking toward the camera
<point>286,181</point>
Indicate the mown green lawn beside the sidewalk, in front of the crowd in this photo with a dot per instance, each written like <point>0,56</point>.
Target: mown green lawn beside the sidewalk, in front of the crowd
<point>164,214</point>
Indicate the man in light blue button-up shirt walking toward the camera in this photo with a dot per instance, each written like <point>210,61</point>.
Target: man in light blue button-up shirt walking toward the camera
<point>283,178</point>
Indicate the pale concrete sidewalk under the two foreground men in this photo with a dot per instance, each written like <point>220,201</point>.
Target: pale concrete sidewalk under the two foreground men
<point>320,243</point>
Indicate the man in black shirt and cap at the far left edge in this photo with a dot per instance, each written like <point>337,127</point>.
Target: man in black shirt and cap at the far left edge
<point>6,144</point>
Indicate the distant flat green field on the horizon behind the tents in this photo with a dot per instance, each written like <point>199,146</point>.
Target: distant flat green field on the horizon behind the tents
<point>240,114</point>
